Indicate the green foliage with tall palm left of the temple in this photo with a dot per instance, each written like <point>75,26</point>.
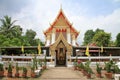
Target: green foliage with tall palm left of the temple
<point>11,35</point>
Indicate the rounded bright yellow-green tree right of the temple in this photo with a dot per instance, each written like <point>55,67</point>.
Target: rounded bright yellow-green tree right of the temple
<point>102,38</point>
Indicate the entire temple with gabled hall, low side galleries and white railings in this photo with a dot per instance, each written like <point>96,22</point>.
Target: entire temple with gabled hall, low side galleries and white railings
<point>61,48</point>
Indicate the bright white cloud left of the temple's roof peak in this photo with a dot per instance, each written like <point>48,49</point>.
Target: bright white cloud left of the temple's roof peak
<point>37,16</point>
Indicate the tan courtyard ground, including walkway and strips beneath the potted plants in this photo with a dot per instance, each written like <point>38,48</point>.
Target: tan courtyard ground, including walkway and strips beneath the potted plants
<point>60,73</point>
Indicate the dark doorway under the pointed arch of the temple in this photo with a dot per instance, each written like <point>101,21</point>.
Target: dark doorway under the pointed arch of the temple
<point>61,55</point>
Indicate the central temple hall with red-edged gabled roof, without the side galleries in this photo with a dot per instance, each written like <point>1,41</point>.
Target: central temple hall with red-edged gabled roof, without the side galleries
<point>60,38</point>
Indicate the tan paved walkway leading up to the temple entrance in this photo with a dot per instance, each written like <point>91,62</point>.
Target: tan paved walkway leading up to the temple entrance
<point>60,73</point>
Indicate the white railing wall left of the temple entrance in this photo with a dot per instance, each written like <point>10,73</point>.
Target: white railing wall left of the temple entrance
<point>21,60</point>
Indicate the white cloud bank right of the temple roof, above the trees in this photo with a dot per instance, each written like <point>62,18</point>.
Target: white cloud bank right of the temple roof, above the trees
<point>110,23</point>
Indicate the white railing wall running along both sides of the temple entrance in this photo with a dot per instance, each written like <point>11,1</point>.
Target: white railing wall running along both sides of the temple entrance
<point>26,60</point>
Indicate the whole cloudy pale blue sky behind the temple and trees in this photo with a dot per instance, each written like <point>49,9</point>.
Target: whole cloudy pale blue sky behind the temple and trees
<point>84,14</point>
